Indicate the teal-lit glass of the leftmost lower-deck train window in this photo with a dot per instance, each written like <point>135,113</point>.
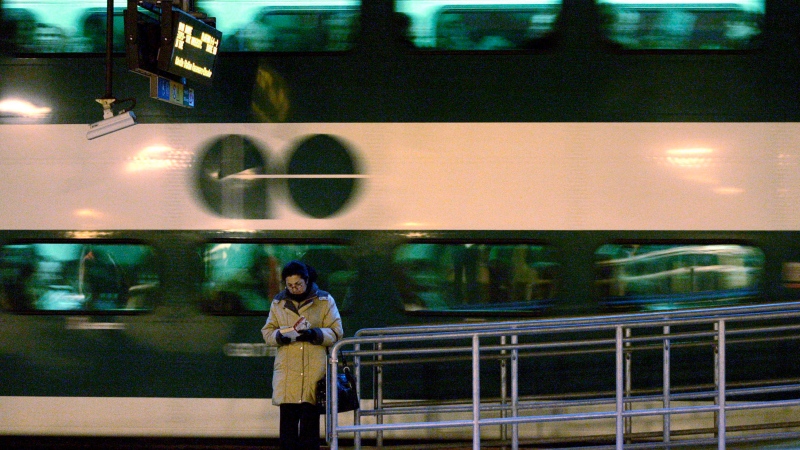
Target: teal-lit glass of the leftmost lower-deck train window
<point>77,277</point>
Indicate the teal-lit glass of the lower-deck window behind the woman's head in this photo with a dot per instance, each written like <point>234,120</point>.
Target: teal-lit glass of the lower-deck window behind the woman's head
<point>245,277</point>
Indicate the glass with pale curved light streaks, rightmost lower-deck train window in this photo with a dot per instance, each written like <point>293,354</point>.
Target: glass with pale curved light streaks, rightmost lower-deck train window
<point>665,277</point>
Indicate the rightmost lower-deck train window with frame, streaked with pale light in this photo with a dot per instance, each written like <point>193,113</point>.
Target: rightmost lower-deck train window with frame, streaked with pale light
<point>683,289</point>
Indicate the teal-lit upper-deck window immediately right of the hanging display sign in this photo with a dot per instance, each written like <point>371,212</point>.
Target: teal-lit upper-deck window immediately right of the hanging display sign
<point>280,26</point>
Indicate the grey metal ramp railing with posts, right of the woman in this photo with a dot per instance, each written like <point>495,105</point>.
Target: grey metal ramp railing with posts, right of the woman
<point>745,330</point>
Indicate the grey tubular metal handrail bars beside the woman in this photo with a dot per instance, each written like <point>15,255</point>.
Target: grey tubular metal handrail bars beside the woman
<point>608,333</point>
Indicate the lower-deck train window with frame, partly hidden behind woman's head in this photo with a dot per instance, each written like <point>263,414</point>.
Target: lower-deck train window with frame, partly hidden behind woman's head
<point>233,302</point>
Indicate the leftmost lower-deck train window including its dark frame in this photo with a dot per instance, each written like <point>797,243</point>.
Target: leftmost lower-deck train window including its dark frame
<point>144,294</point>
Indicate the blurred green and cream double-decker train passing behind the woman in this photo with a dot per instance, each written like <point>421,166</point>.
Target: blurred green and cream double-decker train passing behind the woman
<point>585,174</point>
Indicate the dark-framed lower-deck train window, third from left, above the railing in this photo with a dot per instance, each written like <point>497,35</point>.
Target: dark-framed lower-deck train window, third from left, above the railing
<point>491,303</point>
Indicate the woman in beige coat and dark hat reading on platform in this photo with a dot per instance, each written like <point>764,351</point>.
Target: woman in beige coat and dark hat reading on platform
<point>303,321</point>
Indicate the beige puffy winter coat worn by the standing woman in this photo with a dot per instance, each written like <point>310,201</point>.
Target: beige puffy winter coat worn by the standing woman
<point>299,365</point>
